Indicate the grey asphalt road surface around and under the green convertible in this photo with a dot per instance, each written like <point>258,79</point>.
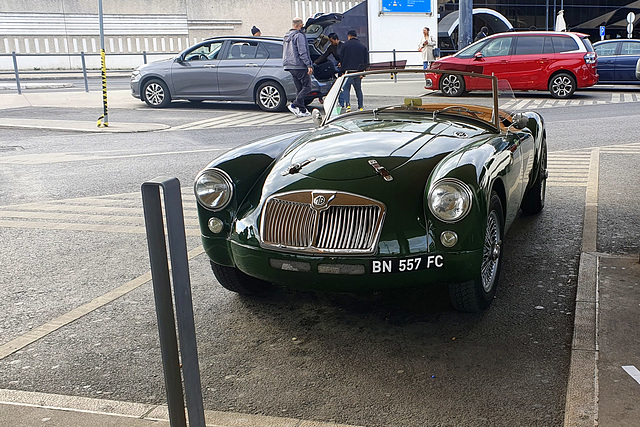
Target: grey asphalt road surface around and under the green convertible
<point>385,359</point>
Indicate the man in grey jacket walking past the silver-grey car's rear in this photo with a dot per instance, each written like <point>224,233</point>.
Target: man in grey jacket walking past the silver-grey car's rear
<point>297,61</point>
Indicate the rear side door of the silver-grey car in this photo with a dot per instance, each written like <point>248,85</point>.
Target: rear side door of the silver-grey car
<point>238,68</point>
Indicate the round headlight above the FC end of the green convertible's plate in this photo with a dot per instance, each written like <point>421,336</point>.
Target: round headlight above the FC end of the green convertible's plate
<point>450,200</point>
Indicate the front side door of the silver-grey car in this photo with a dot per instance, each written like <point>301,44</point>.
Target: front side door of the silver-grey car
<point>194,74</point>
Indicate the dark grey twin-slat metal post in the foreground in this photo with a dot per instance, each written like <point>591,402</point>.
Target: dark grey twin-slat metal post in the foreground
<point>182,292</point>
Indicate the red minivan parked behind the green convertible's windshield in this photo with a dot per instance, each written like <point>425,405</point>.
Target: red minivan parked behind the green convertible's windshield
<point>559,62</point>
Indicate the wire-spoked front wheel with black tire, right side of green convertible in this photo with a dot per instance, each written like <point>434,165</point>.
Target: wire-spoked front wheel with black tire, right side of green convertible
<point>476,295</point>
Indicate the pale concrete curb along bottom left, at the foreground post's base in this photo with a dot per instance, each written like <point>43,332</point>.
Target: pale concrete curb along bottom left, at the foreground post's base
<point>67,408</point>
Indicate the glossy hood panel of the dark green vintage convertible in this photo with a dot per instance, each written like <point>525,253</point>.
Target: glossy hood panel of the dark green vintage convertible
<point>337,154</point>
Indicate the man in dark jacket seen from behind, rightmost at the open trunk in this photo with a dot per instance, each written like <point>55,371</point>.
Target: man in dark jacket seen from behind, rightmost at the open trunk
<point>353,57</point>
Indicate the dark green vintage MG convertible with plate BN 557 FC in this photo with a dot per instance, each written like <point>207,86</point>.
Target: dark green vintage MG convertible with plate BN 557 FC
<point>411,191</point>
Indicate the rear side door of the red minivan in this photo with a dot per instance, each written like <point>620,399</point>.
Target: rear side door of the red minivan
<point>529,64</point>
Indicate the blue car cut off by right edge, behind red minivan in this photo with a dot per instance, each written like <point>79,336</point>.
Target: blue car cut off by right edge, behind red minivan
<point>618,60</point>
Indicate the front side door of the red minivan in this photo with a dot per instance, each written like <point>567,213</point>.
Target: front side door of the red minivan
<point>492,59</point>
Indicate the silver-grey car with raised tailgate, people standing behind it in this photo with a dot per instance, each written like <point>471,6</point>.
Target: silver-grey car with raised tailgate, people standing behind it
<point>231,68</point>
